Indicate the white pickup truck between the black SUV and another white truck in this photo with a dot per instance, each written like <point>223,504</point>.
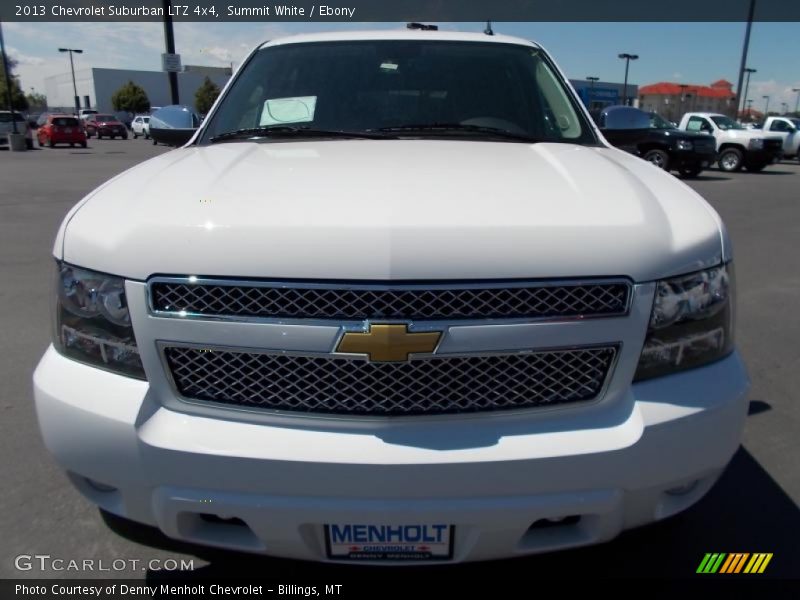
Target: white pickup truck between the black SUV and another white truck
<point>737,146</point>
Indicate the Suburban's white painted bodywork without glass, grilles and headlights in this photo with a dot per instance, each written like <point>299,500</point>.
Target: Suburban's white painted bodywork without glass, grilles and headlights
<point>389,210</point>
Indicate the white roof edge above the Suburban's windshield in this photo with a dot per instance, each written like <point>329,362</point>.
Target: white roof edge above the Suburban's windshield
<point>398,34</point>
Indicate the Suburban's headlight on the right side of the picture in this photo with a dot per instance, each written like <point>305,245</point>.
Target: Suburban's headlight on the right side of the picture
<point>691,323</point>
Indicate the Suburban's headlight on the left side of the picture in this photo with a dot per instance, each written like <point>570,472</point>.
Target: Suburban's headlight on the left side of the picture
<point>92,321</point>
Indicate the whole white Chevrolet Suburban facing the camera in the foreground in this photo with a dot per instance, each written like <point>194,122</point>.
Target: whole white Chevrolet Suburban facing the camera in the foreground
<point>397,299</point>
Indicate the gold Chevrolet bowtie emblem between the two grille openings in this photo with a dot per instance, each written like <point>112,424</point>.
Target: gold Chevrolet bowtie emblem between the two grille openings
<point>388,343</point>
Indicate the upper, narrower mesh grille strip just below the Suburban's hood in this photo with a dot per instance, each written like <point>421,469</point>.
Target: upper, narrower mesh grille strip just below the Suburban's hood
<point>416,302</point>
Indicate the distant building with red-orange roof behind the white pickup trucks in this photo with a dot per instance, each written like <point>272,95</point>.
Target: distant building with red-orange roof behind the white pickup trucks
<point>672,100</point>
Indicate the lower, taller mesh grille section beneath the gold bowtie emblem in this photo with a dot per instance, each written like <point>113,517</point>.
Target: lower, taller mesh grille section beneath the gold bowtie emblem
<point>458,384</point>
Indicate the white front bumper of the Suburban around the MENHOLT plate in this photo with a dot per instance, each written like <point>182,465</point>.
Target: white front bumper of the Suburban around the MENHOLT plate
<point>490,476</point>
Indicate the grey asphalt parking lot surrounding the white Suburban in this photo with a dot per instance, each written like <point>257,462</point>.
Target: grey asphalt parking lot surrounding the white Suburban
<point>754,508</point>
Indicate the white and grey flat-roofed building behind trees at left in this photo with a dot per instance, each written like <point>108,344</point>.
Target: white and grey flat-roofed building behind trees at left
<point>96,86</point>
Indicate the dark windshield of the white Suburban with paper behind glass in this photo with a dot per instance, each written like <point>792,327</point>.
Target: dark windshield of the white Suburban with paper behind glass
<point>420,88</point>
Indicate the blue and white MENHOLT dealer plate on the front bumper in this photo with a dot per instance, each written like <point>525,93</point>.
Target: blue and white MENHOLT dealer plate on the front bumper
<point>415,541</point>
